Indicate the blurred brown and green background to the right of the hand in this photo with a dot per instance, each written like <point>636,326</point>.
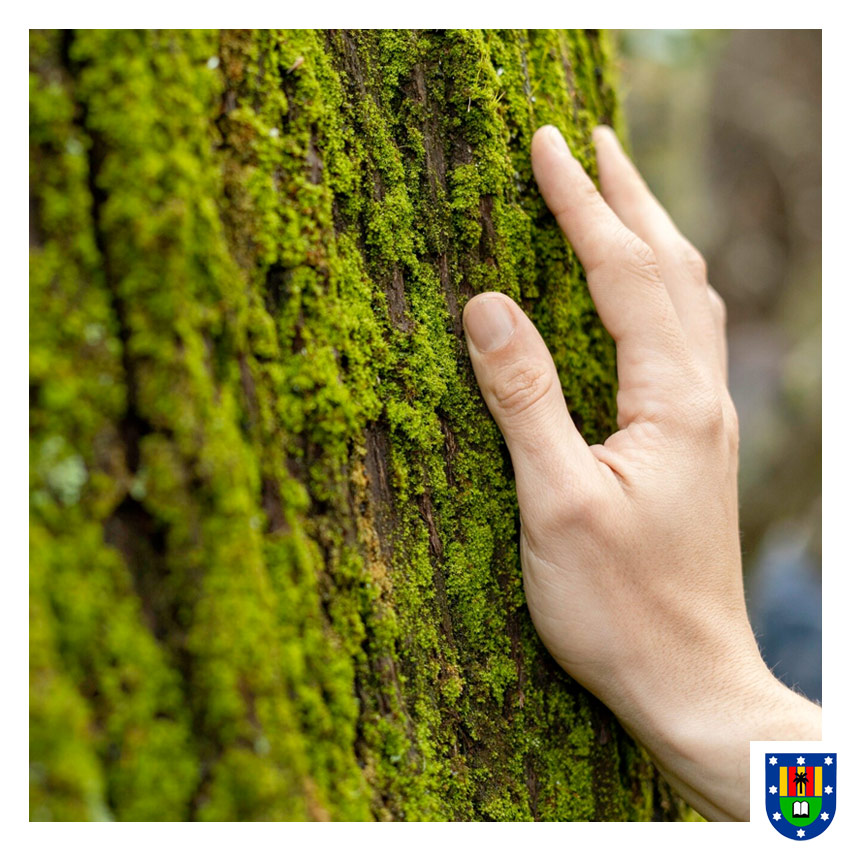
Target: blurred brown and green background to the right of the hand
<point>726,128</point>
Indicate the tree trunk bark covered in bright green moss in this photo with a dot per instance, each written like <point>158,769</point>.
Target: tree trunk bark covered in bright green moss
<point>274,569</point>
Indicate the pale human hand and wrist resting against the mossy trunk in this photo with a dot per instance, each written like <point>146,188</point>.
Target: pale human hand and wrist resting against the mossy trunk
<point>630,550</point>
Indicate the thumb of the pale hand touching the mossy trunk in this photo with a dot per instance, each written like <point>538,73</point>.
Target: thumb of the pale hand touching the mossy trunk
<point>520,384</point>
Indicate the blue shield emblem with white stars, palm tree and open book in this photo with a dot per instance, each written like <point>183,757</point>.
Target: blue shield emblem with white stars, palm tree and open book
<point>800,792</point>
